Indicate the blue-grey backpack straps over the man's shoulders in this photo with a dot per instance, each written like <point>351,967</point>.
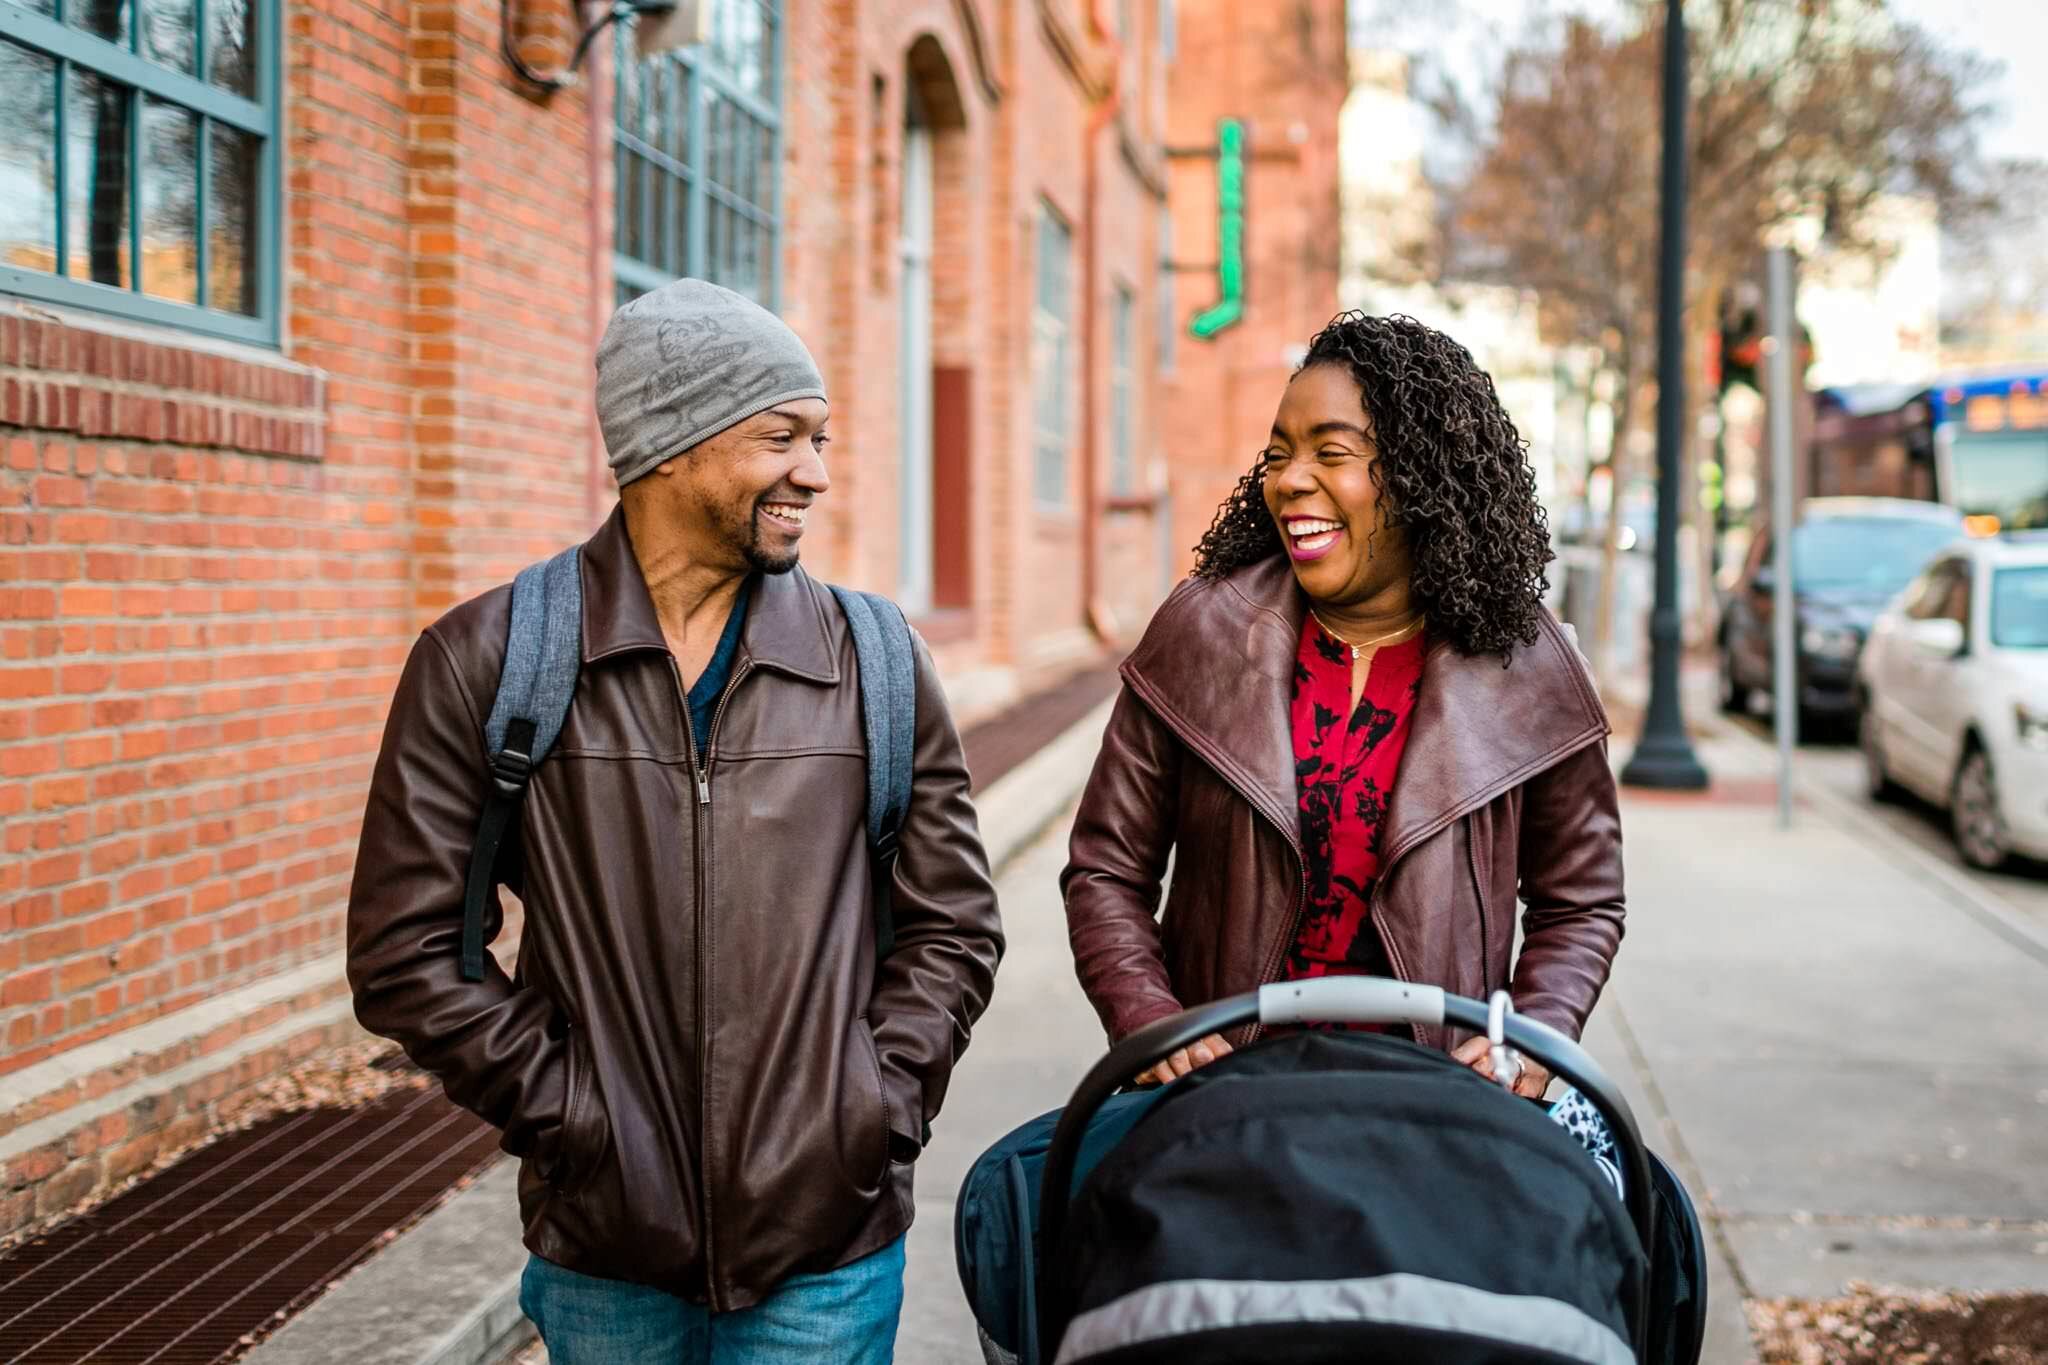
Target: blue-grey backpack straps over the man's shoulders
<point>544,652</point>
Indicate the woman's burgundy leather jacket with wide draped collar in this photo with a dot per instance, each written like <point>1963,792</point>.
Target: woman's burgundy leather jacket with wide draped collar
<point>1504,791</point>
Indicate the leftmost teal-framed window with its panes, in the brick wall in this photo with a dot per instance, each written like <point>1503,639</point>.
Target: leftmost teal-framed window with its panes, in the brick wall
<point>138,161</point>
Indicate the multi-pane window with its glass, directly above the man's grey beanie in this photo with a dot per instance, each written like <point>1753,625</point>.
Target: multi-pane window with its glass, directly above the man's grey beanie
<point>699,159</point>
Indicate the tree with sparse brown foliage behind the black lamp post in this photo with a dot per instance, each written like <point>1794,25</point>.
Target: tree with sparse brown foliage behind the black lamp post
<point>1799,109</point>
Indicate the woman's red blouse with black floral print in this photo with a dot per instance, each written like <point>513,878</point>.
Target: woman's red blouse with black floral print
<point>1345,773</point>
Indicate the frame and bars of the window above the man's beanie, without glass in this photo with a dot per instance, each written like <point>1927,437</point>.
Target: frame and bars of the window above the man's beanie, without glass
<point>703,81</point>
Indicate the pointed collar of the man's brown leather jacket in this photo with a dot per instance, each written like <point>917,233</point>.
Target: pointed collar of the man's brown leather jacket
<point>785,627</point>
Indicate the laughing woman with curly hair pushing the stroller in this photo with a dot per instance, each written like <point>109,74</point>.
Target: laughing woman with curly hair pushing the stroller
<point>1357,732</point>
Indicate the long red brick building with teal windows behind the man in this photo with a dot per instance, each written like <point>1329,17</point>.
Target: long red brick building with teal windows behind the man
<point>298,302</point>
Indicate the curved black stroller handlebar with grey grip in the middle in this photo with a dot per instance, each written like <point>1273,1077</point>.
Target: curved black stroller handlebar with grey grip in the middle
<point>1332,1000</point>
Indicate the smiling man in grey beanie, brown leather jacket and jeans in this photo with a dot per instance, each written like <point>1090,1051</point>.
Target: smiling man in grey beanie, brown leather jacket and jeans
<point>716,1086</point>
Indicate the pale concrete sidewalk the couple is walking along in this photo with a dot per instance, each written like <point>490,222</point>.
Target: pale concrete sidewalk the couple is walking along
<point>1840,1057</point>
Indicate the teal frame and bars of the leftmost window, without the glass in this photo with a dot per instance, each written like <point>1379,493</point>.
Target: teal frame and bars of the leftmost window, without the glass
<point>124,64</point>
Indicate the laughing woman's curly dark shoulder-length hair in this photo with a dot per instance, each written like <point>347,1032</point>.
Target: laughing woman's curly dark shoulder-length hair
<point>1451,472</point>
